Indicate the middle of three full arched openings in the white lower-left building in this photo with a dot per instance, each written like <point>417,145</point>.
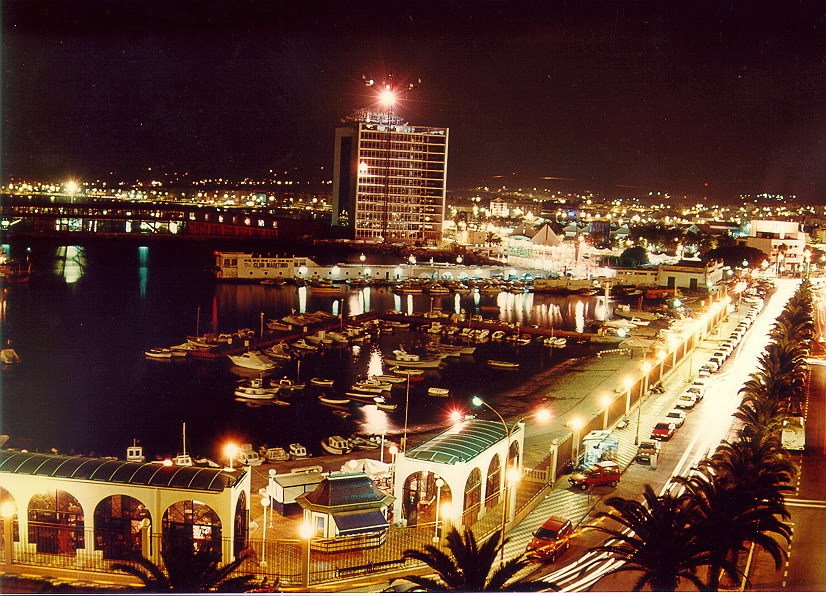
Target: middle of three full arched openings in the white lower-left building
<point>118,523</point>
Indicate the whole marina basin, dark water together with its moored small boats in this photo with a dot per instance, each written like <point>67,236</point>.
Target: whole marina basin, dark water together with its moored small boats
<point>373,332</point>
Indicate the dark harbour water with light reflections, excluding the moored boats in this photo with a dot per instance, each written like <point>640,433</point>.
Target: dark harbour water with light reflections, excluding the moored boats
<point>83,322</point>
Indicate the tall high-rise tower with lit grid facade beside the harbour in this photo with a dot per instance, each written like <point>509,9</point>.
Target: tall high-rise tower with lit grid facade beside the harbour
<point>389,178</point>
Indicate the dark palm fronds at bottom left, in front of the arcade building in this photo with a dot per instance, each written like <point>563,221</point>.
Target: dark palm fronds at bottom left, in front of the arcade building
<point>188,571</point>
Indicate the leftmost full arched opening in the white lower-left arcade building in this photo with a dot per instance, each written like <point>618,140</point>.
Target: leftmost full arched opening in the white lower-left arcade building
<point>56,523</point>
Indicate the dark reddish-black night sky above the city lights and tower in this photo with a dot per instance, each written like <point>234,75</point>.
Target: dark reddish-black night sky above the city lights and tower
<point>614,96</point>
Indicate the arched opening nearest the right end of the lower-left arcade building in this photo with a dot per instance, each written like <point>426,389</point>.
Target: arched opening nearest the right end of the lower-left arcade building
<point>191,524</point>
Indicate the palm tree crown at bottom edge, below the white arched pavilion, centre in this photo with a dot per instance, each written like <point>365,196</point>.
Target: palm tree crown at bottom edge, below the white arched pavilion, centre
<point>466,566</point>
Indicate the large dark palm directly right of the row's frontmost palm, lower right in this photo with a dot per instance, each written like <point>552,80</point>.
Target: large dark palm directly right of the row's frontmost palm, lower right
<point>729,517</point>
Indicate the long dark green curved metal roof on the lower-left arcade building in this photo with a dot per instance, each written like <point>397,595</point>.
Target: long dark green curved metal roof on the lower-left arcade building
<point>118,471</point>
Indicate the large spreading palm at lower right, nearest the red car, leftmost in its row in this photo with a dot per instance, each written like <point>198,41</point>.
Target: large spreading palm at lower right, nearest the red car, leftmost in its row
<point>657,538</point>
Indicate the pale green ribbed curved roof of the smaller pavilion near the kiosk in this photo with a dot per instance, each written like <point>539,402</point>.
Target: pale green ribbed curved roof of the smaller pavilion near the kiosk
<point>460,444</point>
